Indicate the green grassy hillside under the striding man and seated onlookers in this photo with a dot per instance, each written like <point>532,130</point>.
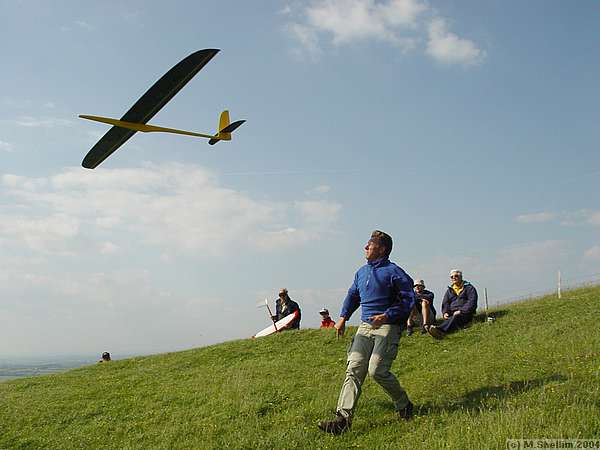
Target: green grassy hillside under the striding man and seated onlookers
<point>534,372</point>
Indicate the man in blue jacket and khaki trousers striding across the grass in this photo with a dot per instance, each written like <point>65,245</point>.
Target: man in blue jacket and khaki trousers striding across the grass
<point>385,293</point>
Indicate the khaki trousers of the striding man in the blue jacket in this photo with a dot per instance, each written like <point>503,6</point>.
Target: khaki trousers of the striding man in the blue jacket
<point>372,351</point>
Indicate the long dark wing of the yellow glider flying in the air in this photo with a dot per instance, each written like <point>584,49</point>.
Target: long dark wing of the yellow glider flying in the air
<point>148,105</point>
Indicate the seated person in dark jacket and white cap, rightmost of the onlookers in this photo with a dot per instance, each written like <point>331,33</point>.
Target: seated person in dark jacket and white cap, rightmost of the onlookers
<point>458,306</point>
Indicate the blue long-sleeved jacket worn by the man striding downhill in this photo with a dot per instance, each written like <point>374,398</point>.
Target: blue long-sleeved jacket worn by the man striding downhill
<point>380,287</point>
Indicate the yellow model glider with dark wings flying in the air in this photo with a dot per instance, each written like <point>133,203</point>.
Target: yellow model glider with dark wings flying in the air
<point>149,104</point>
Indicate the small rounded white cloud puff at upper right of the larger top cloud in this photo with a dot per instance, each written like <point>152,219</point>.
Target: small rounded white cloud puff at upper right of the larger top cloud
<point>448,48</point>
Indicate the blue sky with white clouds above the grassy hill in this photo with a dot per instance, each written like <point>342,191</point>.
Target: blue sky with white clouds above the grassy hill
<point>466,130</point>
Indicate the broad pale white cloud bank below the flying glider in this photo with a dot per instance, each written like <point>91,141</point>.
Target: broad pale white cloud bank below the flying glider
<point>172,207</point>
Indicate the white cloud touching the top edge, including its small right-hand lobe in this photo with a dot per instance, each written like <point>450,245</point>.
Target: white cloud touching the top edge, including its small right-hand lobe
<point>396,22</point>
